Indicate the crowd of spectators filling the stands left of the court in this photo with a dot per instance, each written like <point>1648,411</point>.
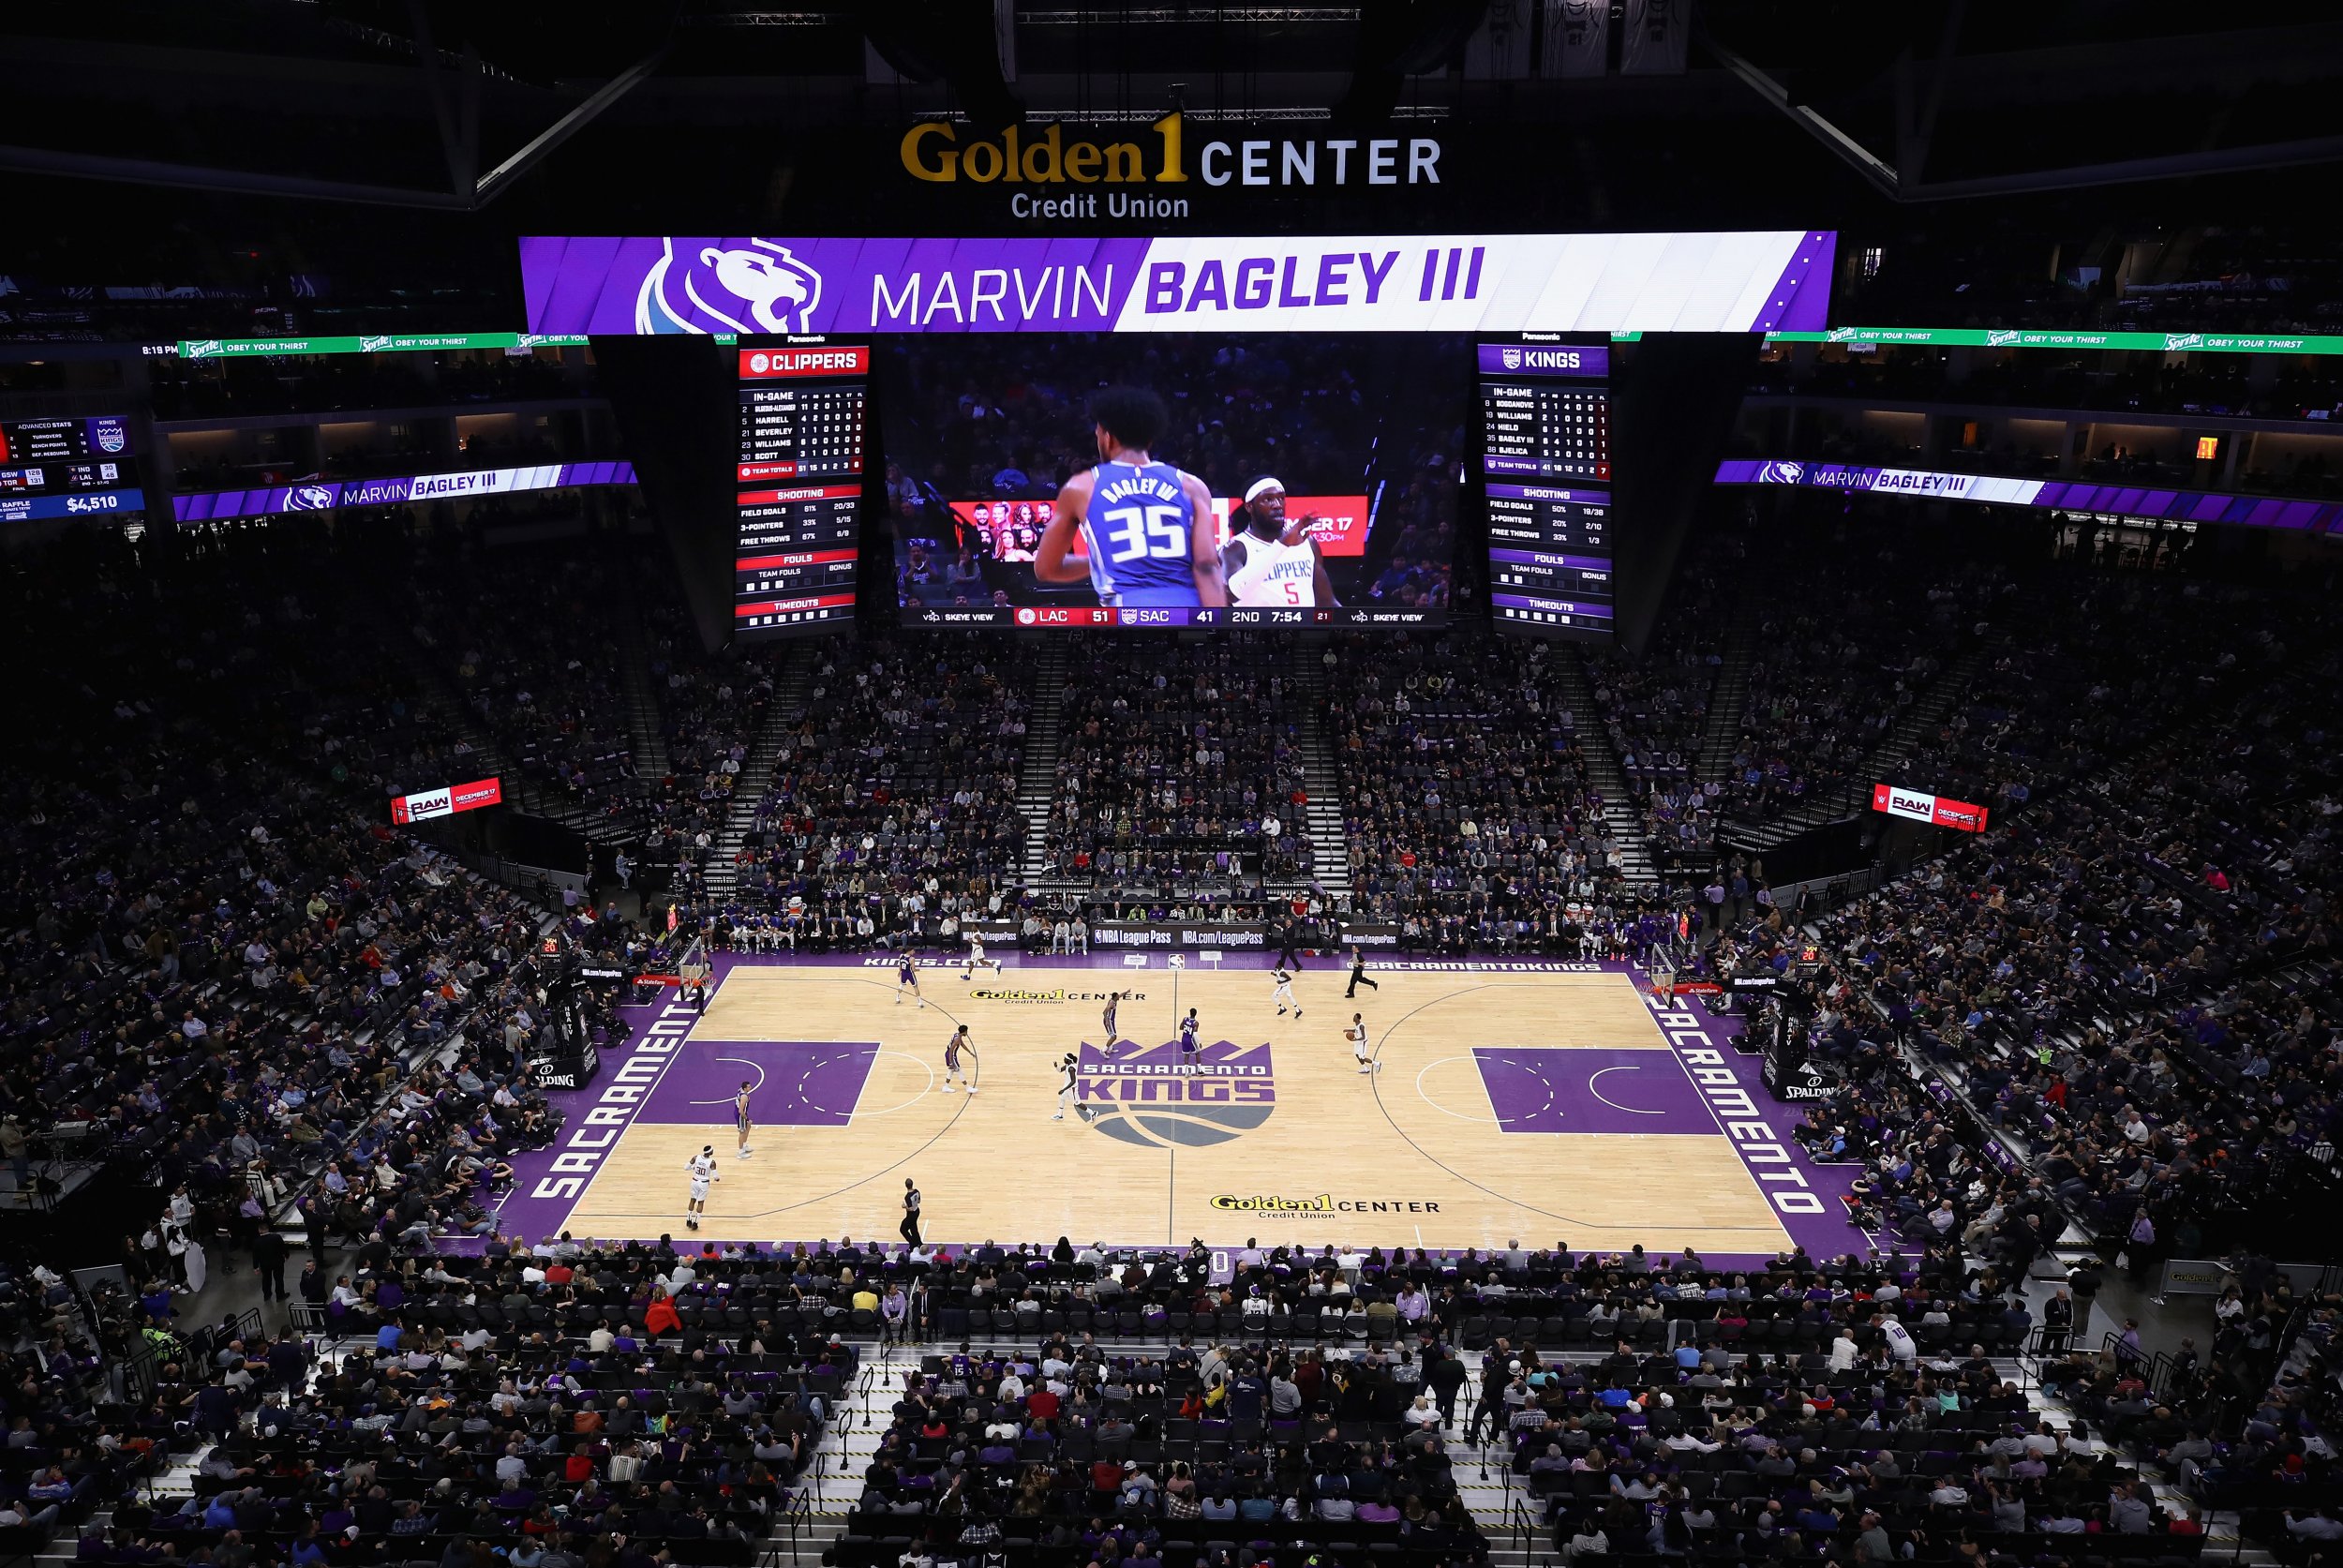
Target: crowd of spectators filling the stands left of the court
<point>226,972</point>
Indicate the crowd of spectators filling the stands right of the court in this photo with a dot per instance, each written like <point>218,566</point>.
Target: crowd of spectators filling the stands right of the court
<point>2129,974</point>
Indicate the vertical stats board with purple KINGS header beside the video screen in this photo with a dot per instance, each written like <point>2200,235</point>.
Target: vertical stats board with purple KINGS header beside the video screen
<point>1545,439</point>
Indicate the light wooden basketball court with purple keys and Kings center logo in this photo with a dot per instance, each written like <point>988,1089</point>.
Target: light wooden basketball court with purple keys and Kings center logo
<point>1531,1105</point>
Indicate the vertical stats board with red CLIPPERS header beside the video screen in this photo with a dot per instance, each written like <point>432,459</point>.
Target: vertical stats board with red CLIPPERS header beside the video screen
<point>800,486</point>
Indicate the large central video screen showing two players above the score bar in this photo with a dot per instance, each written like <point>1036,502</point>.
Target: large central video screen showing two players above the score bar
<point>1213,479</point>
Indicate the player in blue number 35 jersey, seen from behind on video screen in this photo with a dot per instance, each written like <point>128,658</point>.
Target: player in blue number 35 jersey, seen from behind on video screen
<point>1147,526</point>
